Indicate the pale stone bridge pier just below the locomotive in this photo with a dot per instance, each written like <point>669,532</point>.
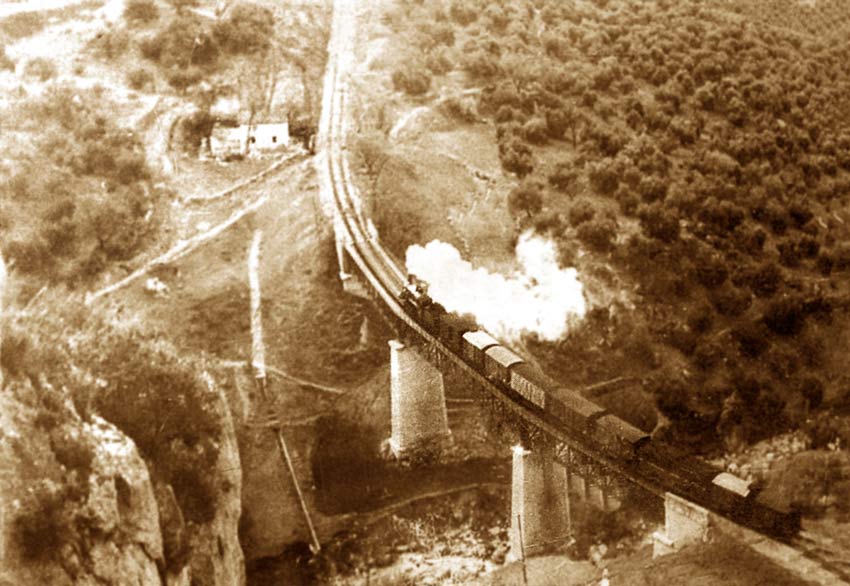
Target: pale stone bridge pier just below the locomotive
<point>417,404</point>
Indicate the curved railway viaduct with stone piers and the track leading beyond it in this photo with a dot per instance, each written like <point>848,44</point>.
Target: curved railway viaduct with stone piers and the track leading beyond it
<point>545,461</point>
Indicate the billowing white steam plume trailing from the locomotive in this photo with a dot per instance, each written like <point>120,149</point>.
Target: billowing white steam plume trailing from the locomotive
<point>540,298</point>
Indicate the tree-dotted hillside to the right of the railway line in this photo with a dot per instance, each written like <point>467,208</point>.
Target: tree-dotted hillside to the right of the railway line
<point>691,161</point>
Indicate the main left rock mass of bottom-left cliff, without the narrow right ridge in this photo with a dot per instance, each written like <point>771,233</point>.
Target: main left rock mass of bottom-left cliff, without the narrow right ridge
<point>77,501</point>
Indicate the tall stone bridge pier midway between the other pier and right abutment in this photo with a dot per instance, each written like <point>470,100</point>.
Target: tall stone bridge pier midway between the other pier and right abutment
<point>540,507</point>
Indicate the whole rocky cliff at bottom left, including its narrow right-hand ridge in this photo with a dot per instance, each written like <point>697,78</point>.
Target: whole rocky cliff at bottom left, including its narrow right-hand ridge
<point>78,504</point>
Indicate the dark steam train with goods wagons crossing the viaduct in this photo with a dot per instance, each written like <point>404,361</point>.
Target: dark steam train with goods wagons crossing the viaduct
<point>658,462</point>
